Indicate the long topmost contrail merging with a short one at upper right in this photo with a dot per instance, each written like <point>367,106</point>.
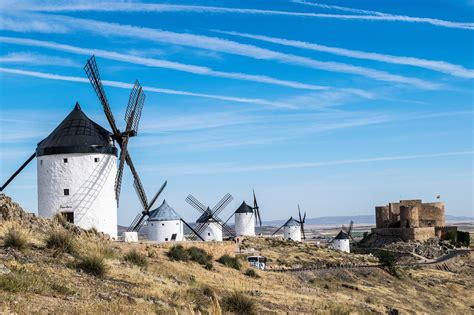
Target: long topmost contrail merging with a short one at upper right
<point>152,7</point>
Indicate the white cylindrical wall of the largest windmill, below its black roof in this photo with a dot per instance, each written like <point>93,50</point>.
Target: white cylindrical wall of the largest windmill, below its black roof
<point>90,180</point>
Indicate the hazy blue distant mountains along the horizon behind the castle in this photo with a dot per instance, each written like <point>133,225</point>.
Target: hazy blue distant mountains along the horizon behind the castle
<point>358,219</point>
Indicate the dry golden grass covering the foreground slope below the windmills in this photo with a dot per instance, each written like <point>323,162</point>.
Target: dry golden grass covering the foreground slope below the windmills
<point>168,286</point>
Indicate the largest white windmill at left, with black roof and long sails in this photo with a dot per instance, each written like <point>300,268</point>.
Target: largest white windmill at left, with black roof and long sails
<point>77,163</point>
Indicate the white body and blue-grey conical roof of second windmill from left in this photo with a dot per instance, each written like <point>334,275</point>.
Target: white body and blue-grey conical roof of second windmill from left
<point>164,224</point>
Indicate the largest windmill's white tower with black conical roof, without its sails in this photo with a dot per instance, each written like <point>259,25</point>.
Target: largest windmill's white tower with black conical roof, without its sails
<point>76,166</point>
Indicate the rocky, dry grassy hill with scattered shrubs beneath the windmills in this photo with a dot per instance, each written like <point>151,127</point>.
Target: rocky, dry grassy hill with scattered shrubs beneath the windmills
<point>53,267</point>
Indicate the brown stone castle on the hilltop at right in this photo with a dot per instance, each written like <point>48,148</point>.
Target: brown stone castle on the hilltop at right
<point>411,220</point>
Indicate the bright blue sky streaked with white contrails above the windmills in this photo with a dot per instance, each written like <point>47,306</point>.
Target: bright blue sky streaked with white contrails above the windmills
<point>336,105</point>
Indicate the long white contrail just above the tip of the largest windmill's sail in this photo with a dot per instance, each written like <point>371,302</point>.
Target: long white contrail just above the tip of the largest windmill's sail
<point>159,63</point>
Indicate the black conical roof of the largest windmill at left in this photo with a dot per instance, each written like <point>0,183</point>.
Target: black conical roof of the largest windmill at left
<point>77,134</point>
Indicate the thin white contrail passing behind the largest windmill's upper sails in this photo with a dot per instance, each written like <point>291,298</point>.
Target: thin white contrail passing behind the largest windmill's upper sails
<point>124,85</point>
